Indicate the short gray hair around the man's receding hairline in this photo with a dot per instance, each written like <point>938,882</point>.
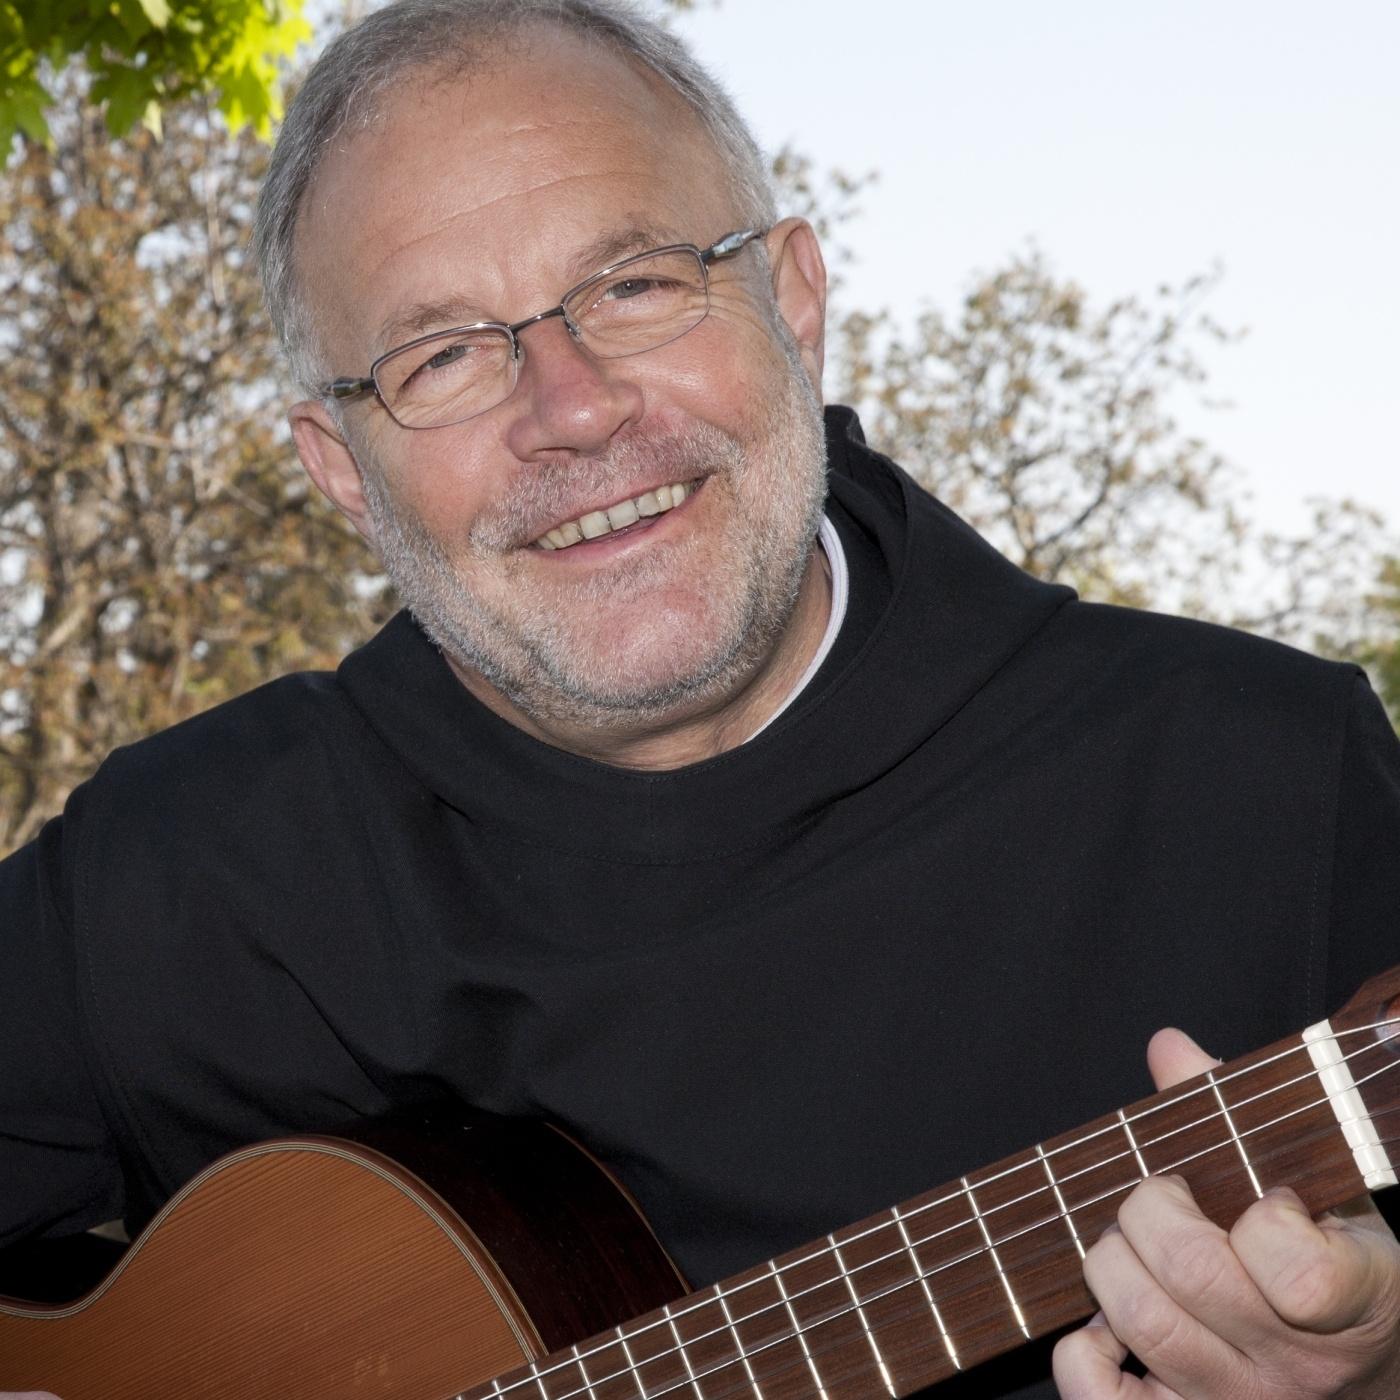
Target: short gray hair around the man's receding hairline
<point>349,82</point>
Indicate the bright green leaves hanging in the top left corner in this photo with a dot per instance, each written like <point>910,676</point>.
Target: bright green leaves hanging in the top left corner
<point>145,55</point>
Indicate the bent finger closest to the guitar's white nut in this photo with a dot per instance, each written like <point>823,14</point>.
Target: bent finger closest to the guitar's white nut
<point>1322,1277</point>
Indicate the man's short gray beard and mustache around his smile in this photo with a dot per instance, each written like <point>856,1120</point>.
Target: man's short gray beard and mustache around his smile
<point>542,666</point>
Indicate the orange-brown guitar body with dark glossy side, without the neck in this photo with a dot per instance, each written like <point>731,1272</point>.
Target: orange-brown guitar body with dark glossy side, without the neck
<point>324,1269</point>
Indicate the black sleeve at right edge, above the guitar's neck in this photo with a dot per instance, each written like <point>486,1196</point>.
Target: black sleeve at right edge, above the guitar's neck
<point>1366,881</point>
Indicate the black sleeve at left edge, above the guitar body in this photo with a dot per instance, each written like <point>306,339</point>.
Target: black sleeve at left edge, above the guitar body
<point>59,1165</point>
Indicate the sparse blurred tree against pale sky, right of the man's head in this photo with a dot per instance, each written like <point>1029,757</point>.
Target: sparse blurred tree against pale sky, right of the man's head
<point>1045,422</point>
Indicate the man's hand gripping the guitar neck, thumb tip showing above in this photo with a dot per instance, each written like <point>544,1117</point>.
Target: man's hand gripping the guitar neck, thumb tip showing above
<point>1282,1308</point>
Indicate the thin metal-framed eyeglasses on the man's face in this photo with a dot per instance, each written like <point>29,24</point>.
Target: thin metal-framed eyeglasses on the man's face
<point>635,306</point>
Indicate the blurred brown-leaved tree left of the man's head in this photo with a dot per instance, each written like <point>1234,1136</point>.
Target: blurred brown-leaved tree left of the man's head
<point>160,549</point>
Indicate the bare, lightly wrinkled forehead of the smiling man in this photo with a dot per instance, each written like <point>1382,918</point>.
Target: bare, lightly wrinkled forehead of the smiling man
<point>498,188</point>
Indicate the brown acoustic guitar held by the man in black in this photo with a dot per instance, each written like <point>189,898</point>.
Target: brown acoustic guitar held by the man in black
<point>496,1261</point>
